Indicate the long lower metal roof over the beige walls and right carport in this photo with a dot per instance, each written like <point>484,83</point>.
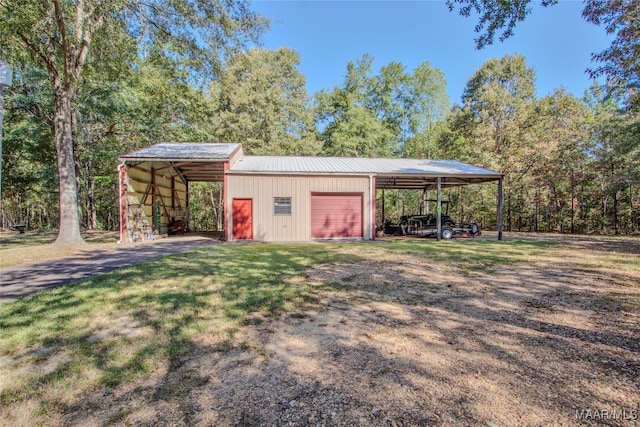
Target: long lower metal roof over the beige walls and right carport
<point>390,173</point>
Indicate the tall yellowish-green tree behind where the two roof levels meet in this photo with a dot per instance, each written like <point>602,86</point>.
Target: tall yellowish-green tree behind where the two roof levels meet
<point>261,100</point>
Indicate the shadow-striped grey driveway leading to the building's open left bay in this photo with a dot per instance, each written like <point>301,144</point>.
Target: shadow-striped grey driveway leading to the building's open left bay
<point>26,279</point>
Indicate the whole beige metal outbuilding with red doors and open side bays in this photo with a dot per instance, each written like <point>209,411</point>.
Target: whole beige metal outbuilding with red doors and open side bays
<point>275,198</point>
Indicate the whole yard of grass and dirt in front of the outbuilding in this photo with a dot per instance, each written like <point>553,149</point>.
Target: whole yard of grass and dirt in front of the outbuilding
<point>156,342</point>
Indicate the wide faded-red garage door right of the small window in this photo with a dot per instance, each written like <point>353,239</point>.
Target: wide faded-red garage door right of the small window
<point>336,215</point>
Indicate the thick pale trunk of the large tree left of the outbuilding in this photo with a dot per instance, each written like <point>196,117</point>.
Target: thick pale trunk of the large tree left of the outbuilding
<point>69,231</point>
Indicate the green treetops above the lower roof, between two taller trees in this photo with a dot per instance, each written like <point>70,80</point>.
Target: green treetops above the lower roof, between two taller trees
<point>385,114</point>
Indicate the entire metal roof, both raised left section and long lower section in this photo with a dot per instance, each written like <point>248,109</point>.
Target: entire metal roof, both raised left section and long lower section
<point>205,162</point>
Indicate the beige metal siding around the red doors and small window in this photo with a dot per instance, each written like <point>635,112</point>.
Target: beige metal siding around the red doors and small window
<point>268,226</point>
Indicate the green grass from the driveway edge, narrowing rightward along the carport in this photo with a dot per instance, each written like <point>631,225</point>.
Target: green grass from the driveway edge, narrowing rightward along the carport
<point>121,327</point>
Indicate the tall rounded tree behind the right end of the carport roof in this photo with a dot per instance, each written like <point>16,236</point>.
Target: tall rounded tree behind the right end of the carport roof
<point>496,123</point>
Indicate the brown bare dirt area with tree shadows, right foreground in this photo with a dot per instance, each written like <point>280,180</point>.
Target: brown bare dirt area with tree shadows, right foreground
<point>413,343</point>
